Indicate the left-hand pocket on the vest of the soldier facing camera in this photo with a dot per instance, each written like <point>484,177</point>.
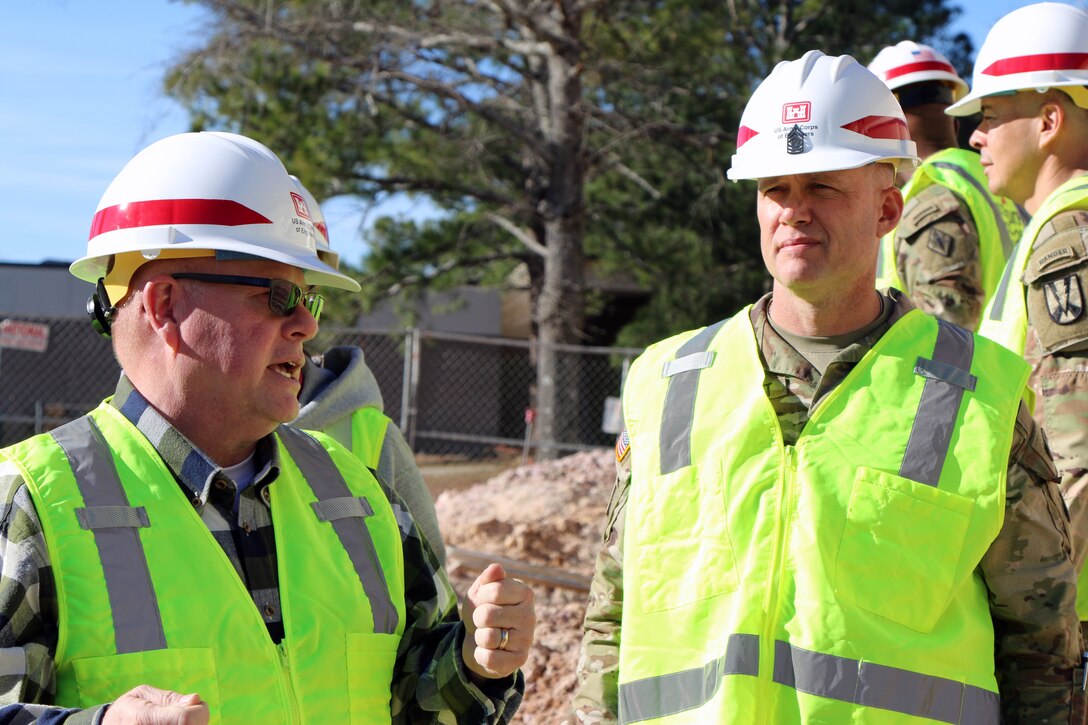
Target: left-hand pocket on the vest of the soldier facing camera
<point>684,552</point>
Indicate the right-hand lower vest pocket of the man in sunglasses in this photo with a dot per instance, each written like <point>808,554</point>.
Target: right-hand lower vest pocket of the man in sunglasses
<point>370,661</point>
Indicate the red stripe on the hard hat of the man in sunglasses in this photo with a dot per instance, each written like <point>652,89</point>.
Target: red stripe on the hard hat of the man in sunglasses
<point>134,215</point>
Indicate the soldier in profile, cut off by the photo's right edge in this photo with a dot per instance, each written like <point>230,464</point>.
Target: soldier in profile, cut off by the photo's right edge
<point>1030,84</point>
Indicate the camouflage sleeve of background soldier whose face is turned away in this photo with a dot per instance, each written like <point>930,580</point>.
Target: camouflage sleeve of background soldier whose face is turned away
<point>937,257</point>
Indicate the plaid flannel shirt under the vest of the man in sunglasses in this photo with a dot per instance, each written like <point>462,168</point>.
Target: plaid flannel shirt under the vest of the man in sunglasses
<point>430,683</point>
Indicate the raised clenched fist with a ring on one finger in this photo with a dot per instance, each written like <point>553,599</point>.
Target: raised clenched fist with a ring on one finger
<point>492,605</point>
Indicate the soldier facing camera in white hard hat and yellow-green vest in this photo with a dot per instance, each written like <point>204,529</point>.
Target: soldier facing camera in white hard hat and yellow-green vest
<point>833,508</point>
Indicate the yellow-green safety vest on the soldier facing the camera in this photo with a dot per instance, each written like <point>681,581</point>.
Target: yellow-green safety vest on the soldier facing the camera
<point>834,581</point>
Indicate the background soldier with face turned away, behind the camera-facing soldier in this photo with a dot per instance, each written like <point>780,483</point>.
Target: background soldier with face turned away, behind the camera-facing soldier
<point>949,250</point>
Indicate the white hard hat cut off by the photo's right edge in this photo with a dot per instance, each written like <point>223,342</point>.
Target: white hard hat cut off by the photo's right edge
<point>1036,47</point>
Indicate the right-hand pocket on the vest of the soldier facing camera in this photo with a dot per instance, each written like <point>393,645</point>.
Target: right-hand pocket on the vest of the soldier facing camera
<point>901,548</point>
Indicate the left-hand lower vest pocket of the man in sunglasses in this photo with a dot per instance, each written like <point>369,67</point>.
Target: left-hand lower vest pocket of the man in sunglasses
<point>186,671</point>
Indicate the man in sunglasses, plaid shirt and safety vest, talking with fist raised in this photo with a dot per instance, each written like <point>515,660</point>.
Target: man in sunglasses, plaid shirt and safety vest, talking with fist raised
<point>179,555</point>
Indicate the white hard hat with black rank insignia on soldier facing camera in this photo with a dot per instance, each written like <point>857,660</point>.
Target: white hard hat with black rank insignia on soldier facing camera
<point>820,114</point>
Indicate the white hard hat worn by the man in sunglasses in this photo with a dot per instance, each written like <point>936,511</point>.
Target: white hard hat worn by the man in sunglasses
<point>204,194</point>
